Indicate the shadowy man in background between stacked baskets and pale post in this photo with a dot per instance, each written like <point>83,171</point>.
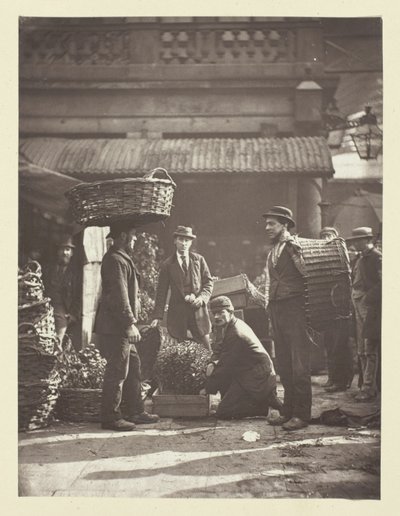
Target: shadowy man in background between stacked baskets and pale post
<point>63,284</point>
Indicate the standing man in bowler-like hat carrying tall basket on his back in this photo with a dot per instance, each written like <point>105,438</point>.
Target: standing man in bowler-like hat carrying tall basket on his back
<point>285,301</point>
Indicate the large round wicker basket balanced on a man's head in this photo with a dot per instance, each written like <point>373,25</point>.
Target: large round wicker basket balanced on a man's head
<point>142,200</point>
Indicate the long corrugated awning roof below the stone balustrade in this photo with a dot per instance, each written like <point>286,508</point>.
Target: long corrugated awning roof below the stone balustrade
<point>124,157</point>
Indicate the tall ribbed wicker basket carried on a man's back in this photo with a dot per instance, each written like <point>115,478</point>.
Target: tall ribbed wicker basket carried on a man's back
<point>328,284</point>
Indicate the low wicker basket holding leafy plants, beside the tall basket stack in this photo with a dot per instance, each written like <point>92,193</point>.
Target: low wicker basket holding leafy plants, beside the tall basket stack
<point>79,405</point>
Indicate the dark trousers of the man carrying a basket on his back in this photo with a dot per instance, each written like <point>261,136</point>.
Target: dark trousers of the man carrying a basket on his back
<point>292,348</point>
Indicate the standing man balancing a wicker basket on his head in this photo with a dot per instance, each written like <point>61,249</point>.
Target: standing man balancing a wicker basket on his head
<point>116,327</point>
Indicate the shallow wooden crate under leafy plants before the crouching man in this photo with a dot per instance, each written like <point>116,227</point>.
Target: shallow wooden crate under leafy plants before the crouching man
<point>181,405</point>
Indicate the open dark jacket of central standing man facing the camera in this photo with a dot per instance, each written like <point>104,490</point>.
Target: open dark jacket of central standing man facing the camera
<point>202,285</point>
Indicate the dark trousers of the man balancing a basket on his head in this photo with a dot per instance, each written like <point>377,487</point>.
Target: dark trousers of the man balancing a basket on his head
<point>122,378</point>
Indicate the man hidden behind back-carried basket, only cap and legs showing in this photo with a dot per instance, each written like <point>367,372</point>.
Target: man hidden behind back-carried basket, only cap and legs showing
<point>336,342</point>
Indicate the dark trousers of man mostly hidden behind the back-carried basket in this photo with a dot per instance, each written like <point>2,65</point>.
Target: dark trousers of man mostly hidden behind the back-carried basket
<point>339,355</point>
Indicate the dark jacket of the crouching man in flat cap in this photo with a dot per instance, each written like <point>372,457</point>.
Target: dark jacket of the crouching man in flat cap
<point>242,357</point>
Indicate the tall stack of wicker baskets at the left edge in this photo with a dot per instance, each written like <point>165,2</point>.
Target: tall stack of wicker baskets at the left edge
<point>38,379</point>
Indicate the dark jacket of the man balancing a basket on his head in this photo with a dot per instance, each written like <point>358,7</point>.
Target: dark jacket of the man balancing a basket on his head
<point>119,303</point>
